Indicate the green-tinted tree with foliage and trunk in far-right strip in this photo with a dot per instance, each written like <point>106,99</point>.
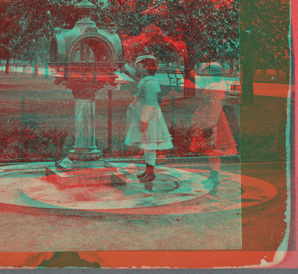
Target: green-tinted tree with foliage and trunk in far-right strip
<point>264,39</point>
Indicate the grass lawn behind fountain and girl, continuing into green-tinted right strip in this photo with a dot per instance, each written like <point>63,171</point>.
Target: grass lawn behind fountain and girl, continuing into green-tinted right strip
<point>49,110</point>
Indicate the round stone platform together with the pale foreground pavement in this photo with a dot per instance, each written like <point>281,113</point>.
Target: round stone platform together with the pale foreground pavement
<point>178,212</point>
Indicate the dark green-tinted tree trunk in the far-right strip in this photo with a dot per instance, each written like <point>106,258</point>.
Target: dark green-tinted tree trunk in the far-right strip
<point>247,95</point>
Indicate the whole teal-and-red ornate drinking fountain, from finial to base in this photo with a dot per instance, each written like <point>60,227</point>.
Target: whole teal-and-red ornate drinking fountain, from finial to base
<point>84,60</point>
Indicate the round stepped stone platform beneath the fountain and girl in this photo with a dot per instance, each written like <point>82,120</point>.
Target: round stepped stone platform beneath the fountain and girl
<point>174,191</point>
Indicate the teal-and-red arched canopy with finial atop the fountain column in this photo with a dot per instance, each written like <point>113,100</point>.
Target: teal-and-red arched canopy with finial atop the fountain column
<point>86,53</point>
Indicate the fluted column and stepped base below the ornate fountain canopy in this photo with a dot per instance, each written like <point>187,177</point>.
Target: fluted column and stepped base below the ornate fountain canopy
<point>85,154</point>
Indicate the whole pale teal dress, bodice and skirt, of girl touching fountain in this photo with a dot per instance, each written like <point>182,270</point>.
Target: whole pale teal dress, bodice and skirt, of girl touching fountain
<point>146,109</point>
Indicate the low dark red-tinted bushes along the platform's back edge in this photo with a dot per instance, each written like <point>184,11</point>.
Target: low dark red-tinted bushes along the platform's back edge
<point>40,144</point>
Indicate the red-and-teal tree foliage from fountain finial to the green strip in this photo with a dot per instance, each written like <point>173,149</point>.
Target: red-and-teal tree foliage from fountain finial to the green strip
<point>209,29</point>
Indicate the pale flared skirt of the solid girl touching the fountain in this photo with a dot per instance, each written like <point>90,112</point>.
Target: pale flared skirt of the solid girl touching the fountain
<point>156,136</point>
